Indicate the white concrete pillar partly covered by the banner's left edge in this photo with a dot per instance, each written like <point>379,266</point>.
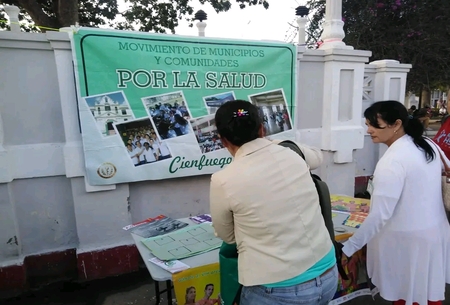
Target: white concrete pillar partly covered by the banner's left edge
<point>95,231</point>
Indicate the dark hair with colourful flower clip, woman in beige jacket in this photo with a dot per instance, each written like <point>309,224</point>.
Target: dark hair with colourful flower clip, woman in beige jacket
<point>238,129</point>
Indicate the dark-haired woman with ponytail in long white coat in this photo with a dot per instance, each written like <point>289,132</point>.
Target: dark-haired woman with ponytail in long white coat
<point>407,232</point>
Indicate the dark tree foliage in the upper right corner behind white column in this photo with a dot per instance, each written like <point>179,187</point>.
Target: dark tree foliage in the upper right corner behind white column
<point>410,31</point>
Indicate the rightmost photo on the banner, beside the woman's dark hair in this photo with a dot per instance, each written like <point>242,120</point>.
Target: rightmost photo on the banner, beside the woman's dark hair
<point>274,111</point>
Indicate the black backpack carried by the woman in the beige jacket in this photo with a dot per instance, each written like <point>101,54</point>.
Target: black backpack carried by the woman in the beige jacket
<point>325,206</point>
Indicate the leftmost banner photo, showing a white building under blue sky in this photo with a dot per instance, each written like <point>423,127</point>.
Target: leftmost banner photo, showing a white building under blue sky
<point>109,109</point>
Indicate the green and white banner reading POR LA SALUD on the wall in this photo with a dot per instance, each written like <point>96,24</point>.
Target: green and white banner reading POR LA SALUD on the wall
<point>147,101</point>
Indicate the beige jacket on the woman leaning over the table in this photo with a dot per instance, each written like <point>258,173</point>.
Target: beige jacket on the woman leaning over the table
<point>266,202</point>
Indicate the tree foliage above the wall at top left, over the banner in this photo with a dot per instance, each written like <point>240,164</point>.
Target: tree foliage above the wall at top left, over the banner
<point>143,15</point>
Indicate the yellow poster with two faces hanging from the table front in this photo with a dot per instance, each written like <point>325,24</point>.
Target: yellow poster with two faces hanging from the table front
<point>198,286</point>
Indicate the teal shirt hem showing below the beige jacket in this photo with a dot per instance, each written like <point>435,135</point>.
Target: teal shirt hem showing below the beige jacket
<point>328,261</point>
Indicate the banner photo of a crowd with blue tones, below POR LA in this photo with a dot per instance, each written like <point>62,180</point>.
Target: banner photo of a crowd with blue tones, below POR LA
<point>169,113</point>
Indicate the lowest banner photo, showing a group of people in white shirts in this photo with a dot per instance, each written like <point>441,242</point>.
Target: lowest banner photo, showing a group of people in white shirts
<point>141,142</point>
